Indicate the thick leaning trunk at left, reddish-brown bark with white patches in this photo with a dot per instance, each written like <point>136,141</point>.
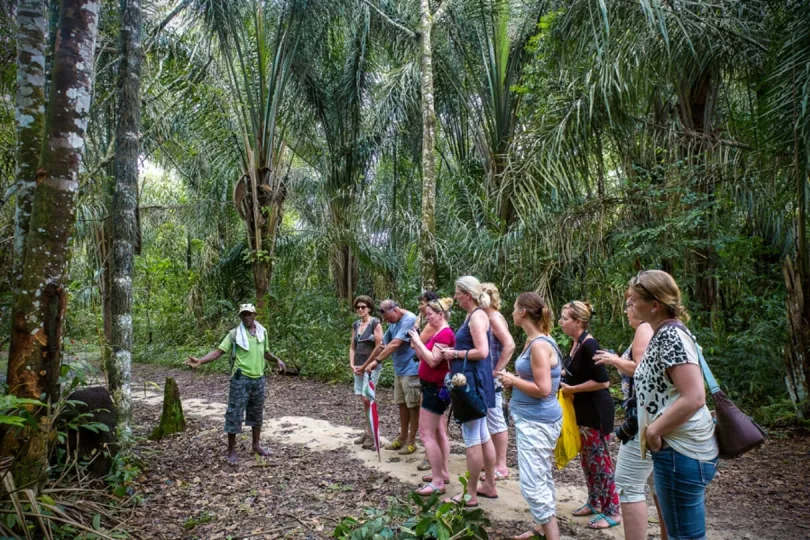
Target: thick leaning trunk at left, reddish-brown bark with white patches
<point>38,311</point>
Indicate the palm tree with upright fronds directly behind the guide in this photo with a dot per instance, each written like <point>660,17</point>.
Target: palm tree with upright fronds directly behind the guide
<point>257,44</point>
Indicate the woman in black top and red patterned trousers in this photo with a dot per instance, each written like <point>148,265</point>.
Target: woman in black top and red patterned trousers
<point>588,383</point>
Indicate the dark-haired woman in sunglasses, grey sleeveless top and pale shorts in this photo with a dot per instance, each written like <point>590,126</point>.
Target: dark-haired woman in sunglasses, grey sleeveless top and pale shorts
<point>366,336</point>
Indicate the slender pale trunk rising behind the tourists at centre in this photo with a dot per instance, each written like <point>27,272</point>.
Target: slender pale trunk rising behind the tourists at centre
<point>427,231</point>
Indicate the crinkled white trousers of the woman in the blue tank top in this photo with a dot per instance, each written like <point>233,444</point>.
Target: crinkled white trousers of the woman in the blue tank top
<point>535,446</point>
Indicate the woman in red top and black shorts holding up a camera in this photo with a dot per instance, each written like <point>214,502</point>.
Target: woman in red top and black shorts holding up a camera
<point>435,397</point>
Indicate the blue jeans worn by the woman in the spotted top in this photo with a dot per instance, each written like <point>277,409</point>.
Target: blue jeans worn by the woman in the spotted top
<point>680,483</point>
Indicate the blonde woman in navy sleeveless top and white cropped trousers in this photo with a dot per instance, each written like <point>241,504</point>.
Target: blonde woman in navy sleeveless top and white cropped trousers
<point>472,350</point>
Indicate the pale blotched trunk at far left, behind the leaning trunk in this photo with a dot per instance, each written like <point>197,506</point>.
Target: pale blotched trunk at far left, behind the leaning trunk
<point>32,42</point>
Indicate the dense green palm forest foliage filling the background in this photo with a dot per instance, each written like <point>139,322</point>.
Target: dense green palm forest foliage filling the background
<point>576,143</point>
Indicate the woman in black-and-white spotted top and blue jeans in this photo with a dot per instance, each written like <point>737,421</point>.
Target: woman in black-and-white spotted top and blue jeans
<point>674,423</point>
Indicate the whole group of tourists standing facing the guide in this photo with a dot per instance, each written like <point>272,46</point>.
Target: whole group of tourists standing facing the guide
<point>667,437</point>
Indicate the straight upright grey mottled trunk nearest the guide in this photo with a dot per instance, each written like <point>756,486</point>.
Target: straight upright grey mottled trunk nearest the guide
<point>124,219</point>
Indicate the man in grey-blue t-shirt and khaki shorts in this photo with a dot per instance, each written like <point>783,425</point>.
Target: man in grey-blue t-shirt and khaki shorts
<point>407,390</point>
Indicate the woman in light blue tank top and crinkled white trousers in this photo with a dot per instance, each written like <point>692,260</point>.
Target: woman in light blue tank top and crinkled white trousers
<point>536,412</point>
